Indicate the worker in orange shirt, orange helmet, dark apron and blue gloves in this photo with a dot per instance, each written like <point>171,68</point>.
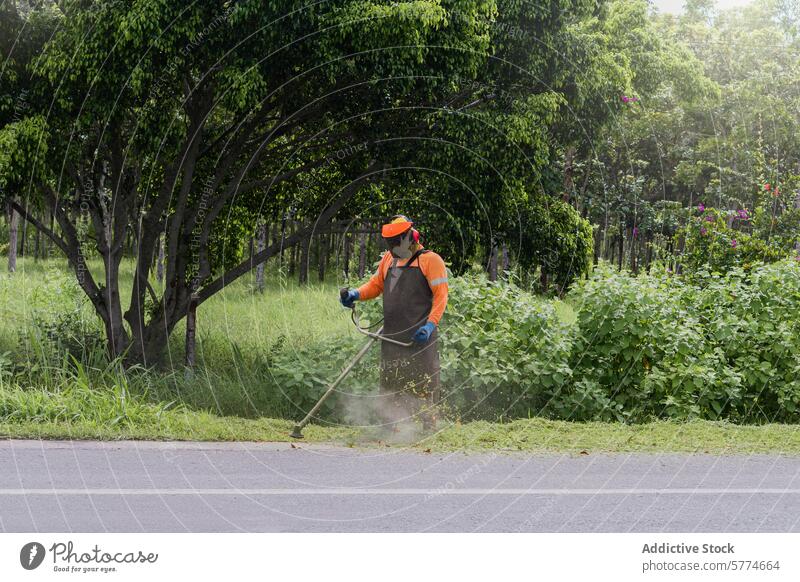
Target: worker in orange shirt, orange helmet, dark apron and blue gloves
<point>413,281</point>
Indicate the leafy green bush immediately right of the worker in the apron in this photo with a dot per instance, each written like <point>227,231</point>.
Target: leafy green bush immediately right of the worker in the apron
<point>504,352</point>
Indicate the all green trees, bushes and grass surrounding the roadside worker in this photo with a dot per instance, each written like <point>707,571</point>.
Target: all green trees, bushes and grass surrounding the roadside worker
<point>616,192</point>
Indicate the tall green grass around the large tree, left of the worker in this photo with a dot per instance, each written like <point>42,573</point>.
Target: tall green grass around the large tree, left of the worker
<point>53,364</point>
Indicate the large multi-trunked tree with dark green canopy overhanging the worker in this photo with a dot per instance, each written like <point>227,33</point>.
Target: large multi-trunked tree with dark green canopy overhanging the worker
<point>194,122</point>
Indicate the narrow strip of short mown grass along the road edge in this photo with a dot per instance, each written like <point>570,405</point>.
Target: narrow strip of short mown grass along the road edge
<point>531,436</point>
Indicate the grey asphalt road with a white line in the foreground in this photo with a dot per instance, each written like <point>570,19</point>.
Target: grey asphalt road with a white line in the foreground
<point>79,486</point>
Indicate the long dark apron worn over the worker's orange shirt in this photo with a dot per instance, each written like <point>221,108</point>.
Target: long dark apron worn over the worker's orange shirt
<point>409,374</point>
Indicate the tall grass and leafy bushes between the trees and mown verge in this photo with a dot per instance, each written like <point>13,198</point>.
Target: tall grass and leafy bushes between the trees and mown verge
<point>619,347</point>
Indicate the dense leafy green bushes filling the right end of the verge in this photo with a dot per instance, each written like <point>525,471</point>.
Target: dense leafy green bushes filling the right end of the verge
<point>724,346</point>
